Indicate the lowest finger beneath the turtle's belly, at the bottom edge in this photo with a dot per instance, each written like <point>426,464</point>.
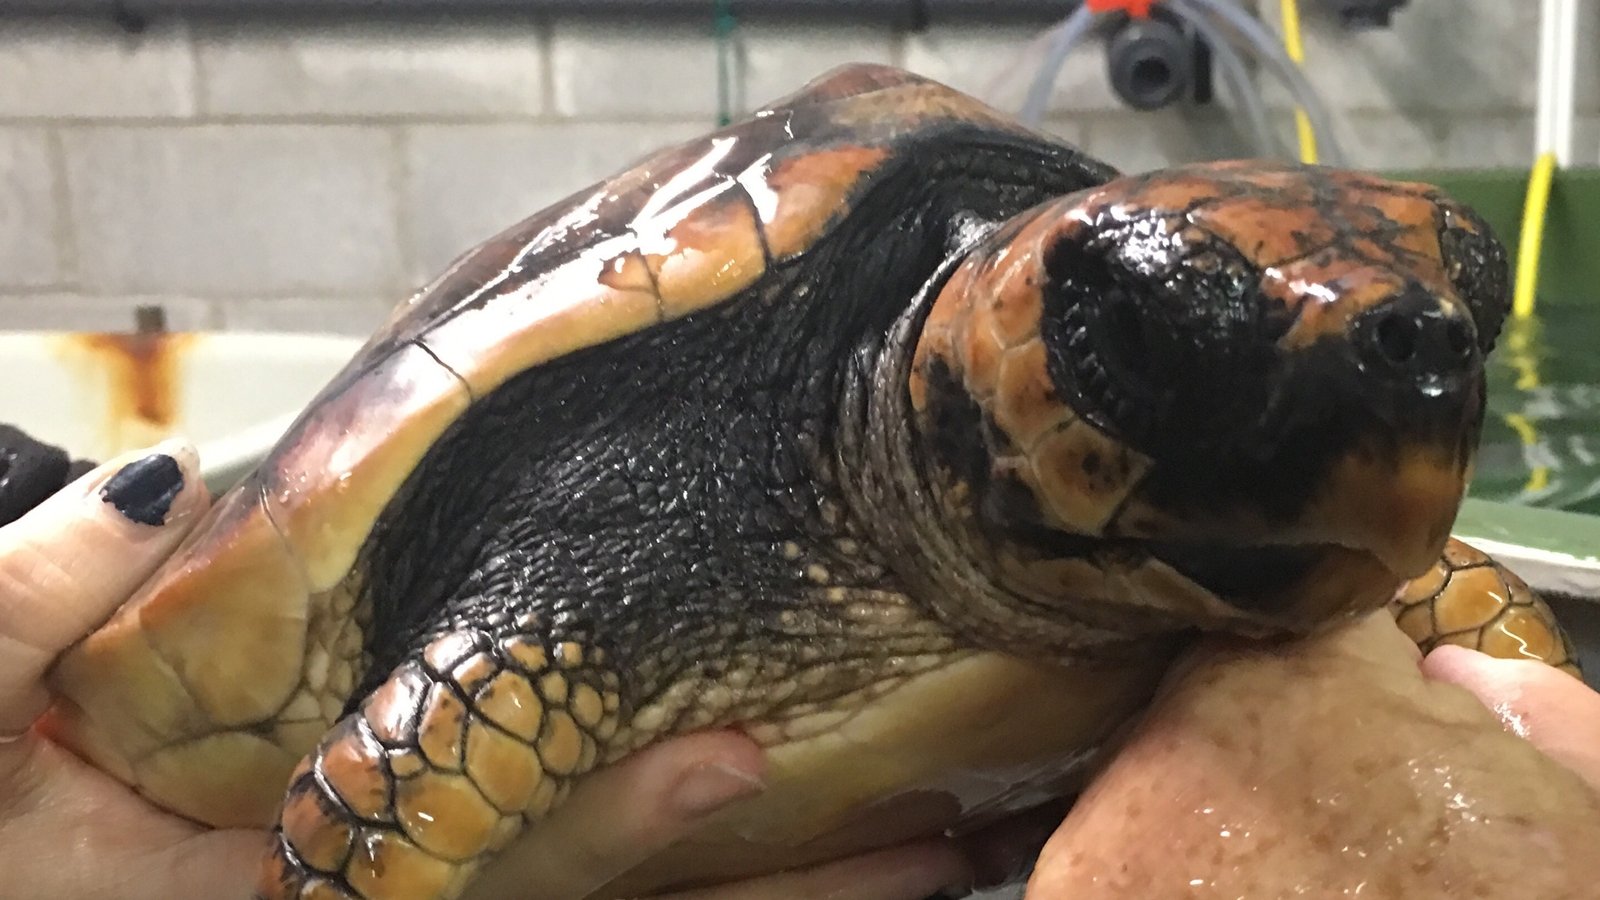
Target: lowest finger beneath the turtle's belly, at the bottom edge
<point>911,872</point>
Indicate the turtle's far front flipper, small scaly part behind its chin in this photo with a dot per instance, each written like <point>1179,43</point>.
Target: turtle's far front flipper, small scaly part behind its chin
<point>1473,601</point>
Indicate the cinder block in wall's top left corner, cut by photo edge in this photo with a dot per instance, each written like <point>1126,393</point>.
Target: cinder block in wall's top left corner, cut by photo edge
<point>94,70</point>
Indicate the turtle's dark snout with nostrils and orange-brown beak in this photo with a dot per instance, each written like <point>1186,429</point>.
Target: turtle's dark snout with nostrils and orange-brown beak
<point>1406,382</point>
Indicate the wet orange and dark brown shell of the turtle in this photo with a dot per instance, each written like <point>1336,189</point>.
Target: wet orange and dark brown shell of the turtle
<point>714,223</point>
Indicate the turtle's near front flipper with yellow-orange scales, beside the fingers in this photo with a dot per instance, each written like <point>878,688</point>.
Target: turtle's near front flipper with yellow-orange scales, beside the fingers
<point>441,768</point>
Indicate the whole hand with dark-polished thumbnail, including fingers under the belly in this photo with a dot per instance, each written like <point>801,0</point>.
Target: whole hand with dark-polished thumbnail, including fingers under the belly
<point>73,832</point>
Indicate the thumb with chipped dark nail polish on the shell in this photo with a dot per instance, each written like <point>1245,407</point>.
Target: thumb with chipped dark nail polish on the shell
<point>78,556</point>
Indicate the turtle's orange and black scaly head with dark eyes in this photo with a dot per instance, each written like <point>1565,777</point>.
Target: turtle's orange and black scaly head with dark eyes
<point>1233,392</point>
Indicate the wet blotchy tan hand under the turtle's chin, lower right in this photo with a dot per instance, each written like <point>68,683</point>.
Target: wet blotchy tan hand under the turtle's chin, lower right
<point>1343,766</point>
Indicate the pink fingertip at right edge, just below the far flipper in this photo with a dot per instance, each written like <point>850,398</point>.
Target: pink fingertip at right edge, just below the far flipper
<point>1556,712</point>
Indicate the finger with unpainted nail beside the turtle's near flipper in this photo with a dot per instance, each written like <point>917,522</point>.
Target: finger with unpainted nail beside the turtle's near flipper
<point>625,814</point>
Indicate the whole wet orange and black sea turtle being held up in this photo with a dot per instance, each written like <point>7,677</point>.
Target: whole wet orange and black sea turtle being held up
<point>910,441</point>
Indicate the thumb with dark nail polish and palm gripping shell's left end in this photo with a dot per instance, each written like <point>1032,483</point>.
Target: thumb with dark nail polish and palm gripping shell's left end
<point>68,830</point>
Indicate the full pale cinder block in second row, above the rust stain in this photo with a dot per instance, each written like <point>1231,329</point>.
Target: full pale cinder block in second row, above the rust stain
<point>239,211</point>
